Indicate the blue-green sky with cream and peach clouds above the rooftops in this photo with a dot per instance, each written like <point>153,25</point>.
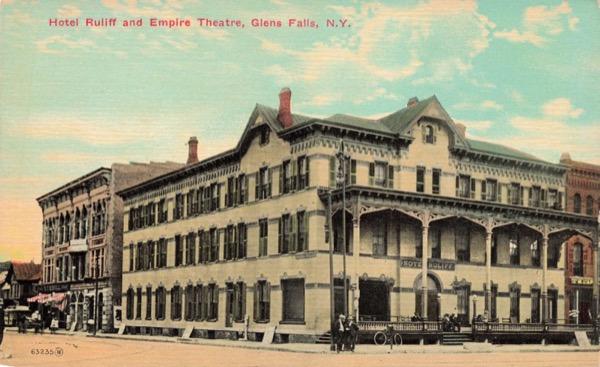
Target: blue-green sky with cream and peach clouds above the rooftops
<point>74,98</point>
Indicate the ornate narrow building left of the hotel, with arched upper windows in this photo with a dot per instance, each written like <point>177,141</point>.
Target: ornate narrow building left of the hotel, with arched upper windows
<point>82,241</point>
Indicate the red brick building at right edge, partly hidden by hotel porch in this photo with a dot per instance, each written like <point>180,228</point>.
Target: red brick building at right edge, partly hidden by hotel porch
<point>583,197</point>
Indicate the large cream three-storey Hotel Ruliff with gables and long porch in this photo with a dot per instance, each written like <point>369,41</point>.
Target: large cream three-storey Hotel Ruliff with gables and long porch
<point>241,240</point>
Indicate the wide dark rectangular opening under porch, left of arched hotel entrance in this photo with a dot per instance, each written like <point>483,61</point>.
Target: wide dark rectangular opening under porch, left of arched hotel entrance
<point>374,302</point>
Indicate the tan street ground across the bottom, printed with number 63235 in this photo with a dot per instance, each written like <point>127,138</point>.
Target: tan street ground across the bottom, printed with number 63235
<point>81,350</point>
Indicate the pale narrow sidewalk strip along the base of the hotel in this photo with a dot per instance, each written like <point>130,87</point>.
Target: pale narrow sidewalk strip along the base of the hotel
<point>324,348</point>
